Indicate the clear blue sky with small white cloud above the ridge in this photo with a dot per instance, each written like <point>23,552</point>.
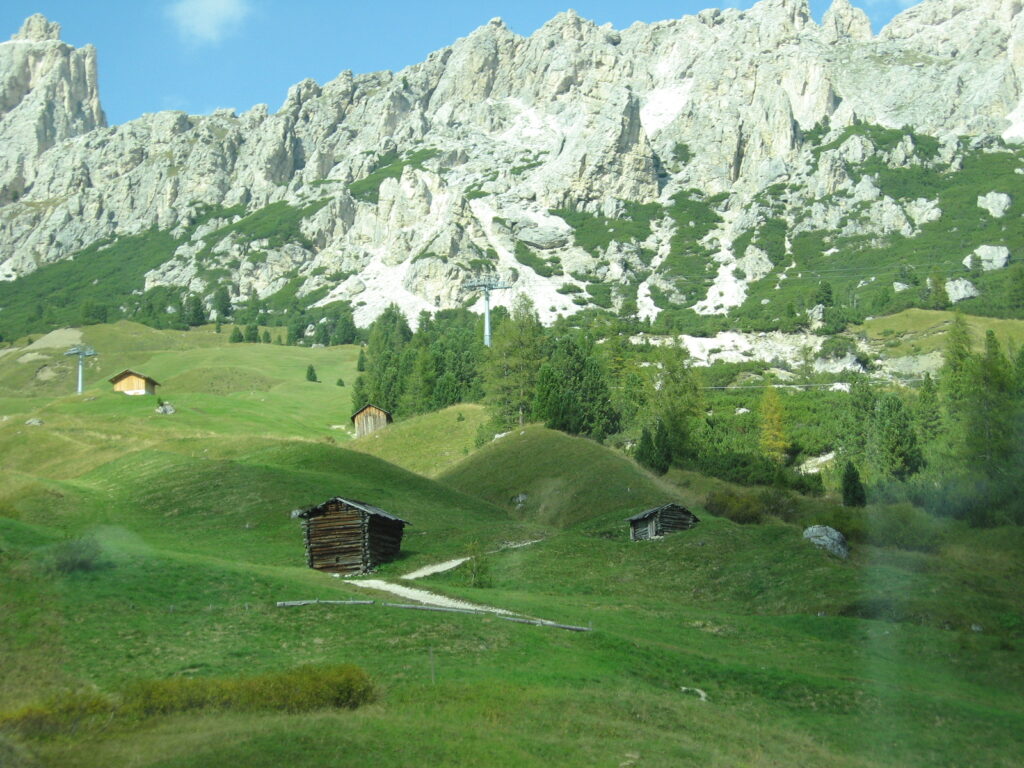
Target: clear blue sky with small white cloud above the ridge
<point>199,56</point>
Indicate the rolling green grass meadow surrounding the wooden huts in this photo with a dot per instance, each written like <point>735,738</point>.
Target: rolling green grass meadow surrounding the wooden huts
<point>183,525</point>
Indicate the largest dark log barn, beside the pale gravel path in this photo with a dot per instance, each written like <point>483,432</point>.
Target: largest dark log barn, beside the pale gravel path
<point>344,536</point>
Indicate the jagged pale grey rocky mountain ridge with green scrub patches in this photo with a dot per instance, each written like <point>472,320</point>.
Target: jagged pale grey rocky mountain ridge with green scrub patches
<point>694,163</point>
